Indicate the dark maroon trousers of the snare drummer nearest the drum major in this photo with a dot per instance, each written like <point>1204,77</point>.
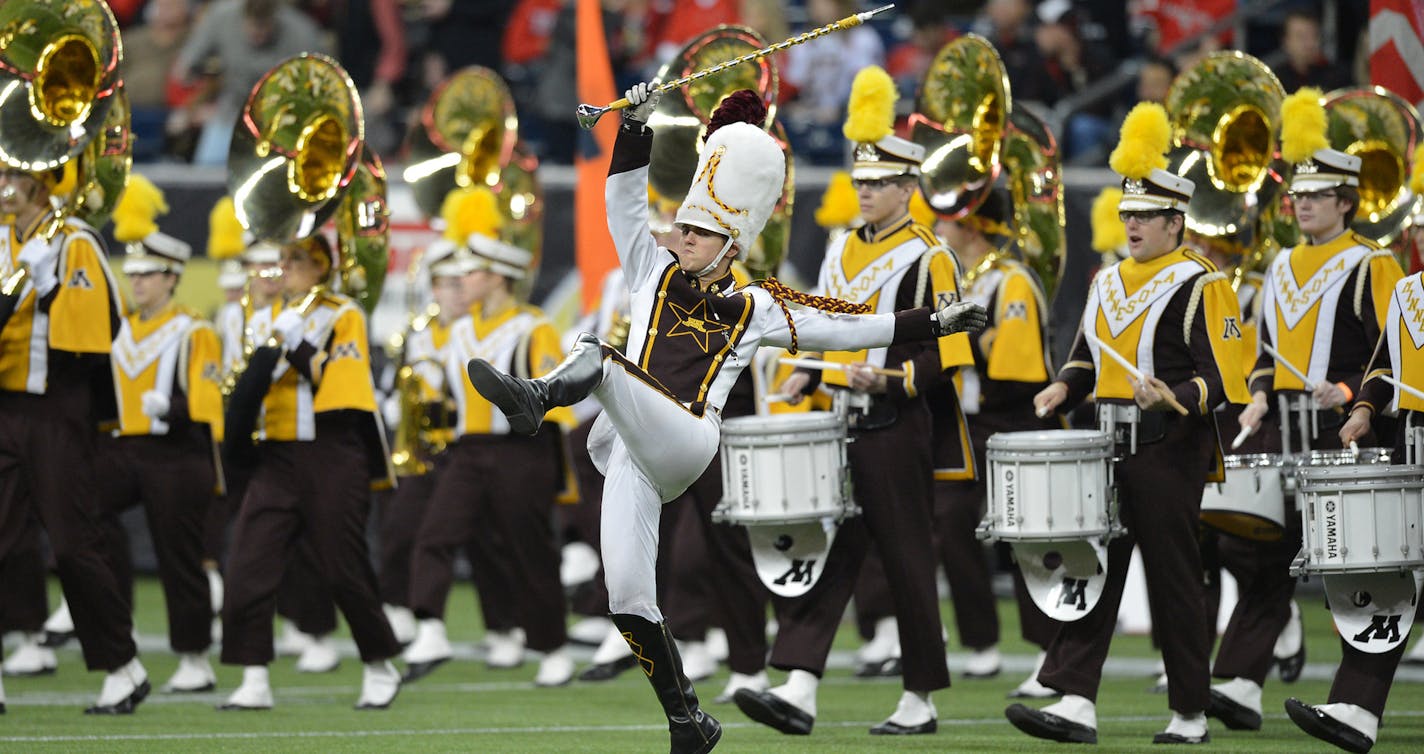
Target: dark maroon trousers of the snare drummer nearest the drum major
<point>892,474</point>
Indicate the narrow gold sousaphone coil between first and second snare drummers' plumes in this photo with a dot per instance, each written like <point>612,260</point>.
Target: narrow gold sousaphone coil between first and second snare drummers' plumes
<point>1036,189</point>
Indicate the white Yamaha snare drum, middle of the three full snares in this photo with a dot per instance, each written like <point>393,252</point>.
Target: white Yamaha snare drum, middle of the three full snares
<point>1049,487</point>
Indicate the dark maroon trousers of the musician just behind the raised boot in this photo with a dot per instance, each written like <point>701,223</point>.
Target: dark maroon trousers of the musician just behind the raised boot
<point>495,497</point>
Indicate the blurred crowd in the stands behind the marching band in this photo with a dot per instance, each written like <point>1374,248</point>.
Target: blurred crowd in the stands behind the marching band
<point>1079,63</point>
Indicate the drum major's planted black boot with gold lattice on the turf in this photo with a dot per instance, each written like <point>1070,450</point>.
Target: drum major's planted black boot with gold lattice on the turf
<point>694,732</point>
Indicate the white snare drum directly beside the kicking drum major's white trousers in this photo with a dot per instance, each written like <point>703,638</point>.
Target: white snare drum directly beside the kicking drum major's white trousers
<point>785,468</point>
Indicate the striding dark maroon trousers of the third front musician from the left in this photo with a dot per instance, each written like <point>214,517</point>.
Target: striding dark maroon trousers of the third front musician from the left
<point>318,491</point>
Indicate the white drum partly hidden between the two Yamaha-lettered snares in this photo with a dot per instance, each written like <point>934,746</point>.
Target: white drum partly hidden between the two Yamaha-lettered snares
<point>1251,504</point>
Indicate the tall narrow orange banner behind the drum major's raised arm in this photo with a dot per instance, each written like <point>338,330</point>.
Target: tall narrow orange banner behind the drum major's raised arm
<point>593,246</point>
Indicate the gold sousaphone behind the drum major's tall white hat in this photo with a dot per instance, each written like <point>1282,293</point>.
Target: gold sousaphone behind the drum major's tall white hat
<point>683,118</point>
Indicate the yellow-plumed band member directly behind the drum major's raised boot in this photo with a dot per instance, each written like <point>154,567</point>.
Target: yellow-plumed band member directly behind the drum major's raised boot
<point>496,490</point>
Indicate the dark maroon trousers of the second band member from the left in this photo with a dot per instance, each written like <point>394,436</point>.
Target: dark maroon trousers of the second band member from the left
<point>173,478</point>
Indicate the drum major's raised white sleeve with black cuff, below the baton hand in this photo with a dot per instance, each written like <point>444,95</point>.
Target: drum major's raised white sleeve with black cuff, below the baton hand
<point>626,196</point>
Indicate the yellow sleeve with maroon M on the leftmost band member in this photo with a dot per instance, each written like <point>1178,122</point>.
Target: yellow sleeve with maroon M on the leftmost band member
<point>85,307</point>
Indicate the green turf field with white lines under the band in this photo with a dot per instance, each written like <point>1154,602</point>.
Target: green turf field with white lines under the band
<point>465,708</point>
